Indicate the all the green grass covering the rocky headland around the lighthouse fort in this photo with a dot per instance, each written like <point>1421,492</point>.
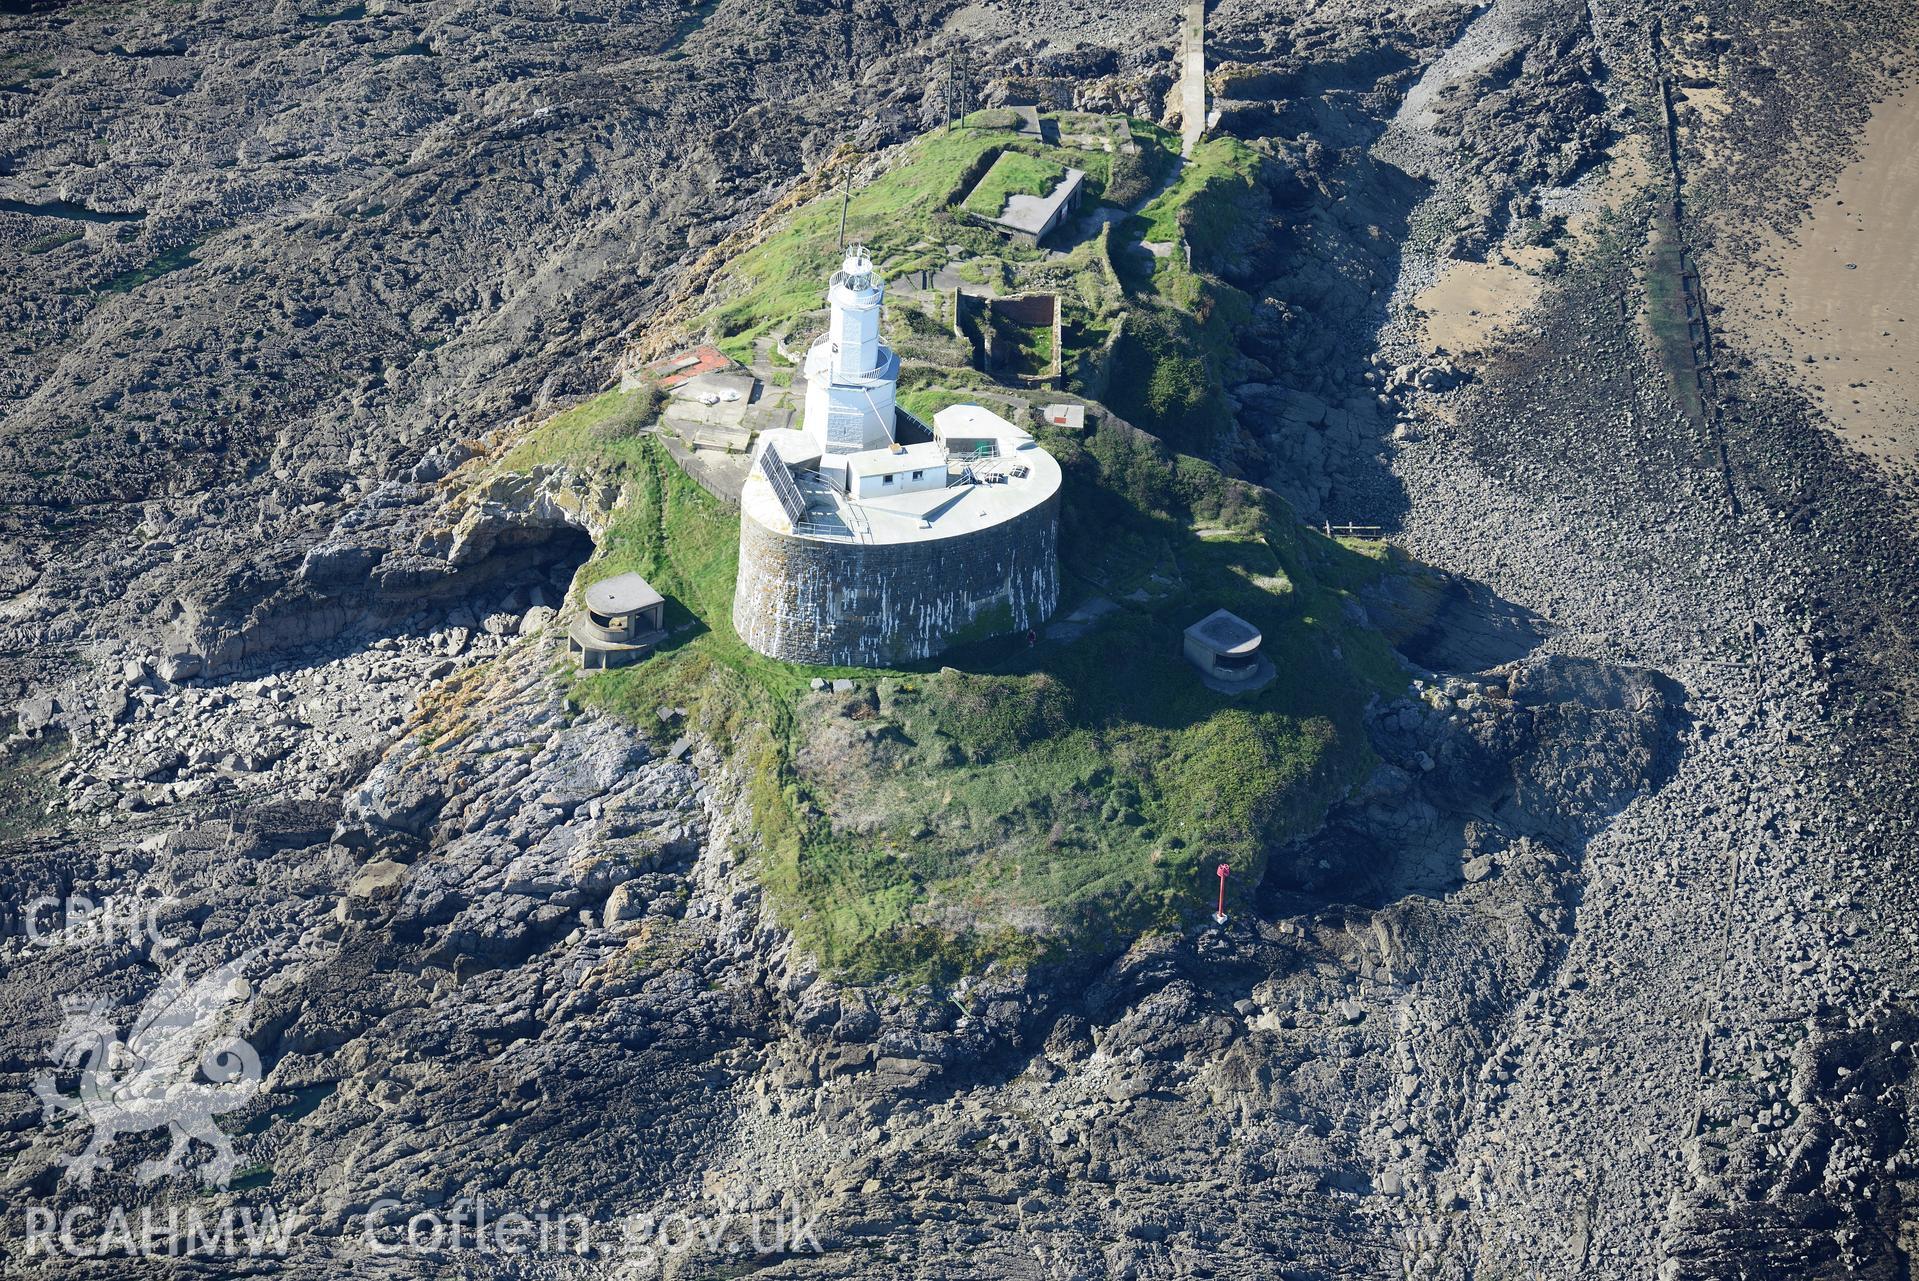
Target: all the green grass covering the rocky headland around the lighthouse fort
<point>1010,801</point>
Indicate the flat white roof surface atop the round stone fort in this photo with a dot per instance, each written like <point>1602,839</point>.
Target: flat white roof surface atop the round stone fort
<point>997,496</point>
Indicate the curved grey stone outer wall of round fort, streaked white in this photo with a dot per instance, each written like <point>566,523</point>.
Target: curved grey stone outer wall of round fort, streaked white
<point>880,605</point>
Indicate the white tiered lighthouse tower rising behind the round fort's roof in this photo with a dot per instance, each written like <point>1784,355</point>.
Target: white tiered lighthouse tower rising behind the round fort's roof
<point>851,375</point>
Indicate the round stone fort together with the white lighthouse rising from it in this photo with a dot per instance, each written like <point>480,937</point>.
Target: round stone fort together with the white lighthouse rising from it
<point>868,538</point>
